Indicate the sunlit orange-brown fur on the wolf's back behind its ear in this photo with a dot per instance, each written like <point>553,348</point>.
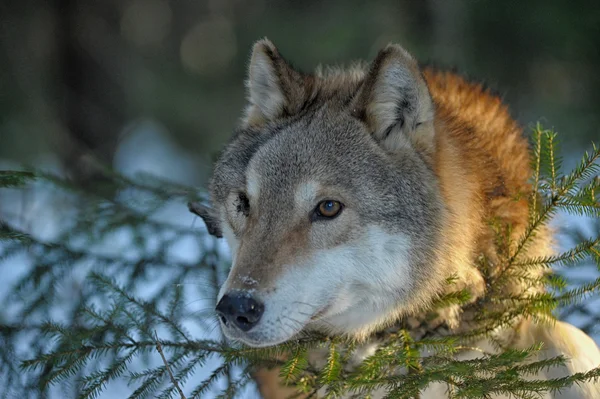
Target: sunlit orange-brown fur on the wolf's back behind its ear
<point>477,135</point>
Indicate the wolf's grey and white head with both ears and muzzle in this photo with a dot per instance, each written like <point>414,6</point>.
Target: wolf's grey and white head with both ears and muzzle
<point>328,200</point>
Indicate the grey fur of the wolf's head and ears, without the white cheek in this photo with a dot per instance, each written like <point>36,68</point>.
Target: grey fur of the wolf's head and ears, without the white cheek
<point>334,138</point>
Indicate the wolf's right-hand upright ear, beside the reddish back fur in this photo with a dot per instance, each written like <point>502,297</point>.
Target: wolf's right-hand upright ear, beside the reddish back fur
<point>394,101</point>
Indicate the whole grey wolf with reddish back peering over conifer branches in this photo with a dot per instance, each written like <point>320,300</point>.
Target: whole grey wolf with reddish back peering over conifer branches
<point>350,196</point>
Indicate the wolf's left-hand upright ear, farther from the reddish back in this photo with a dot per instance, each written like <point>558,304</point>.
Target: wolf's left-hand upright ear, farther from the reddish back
<point>274,87</point>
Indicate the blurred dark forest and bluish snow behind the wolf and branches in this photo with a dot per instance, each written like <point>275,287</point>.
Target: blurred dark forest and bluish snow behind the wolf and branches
<point>157,86</point>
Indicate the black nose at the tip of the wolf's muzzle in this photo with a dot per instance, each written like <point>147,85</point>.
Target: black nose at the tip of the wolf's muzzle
<point>240,309</point>
